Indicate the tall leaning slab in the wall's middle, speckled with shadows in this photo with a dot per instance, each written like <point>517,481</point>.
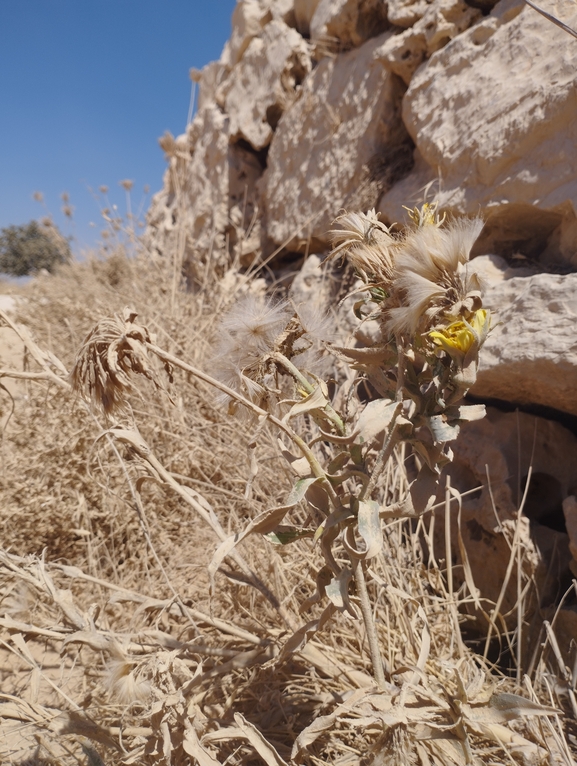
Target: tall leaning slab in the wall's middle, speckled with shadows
<point>333,147</point>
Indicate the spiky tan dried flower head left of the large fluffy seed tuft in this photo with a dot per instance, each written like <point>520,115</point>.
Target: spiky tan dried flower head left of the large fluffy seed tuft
<point>368,245</point>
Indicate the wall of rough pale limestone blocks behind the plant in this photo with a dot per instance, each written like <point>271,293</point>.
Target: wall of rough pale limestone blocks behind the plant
<point>319,105</point>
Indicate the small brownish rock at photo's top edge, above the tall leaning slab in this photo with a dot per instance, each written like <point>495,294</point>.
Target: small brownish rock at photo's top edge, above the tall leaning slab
<point>348,23</point>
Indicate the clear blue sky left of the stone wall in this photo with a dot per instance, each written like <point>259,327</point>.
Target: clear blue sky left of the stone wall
<point>86,89</point>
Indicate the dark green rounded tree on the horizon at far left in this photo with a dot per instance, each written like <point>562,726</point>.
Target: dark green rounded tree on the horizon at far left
<point>32,246</point>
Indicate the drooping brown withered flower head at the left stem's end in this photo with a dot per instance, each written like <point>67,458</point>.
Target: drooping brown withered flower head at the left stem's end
<point>112,351</point>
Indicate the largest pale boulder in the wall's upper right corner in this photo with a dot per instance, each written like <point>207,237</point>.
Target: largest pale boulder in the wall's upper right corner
<point>493,117</point>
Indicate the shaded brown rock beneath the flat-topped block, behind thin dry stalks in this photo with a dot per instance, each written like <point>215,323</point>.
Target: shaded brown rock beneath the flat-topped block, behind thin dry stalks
<point>511,443</point>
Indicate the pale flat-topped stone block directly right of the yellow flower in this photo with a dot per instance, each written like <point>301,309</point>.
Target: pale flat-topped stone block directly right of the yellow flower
<point>530,356</point>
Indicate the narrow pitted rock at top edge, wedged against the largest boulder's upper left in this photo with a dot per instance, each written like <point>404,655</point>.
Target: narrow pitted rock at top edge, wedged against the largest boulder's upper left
<point>440,22</point>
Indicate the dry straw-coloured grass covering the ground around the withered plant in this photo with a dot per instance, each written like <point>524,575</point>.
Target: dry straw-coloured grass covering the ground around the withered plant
<point>119,653</point>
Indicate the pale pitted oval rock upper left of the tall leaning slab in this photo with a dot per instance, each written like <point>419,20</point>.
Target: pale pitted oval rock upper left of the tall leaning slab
<point>265,83</point>
